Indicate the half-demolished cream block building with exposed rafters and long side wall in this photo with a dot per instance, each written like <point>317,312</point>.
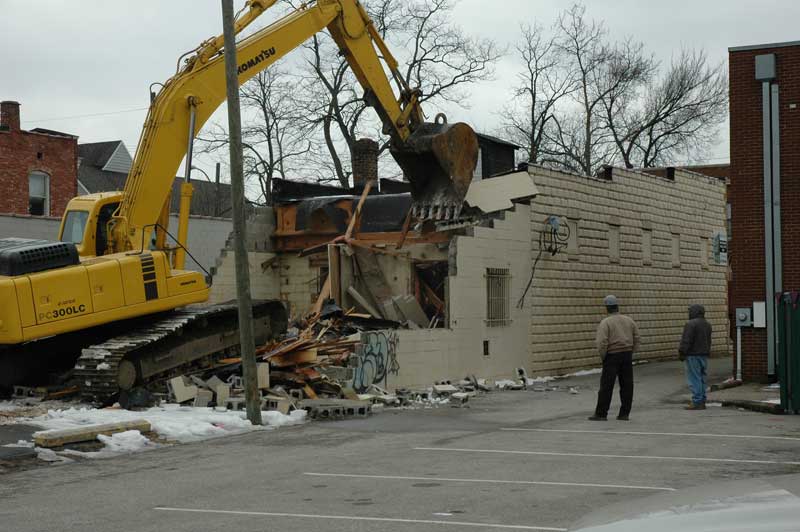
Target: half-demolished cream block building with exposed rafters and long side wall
<point>515,282</point>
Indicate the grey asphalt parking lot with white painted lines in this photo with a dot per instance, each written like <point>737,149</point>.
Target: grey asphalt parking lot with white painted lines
<point>523,460</point>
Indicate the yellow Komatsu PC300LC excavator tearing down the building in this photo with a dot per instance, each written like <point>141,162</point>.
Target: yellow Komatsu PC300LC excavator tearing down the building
<point>108,290</point>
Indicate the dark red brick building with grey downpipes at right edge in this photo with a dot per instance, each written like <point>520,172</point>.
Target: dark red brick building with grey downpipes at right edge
<point>764,98</point>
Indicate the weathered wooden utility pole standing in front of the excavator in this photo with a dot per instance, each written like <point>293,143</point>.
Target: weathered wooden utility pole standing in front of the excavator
<point>249,371</point>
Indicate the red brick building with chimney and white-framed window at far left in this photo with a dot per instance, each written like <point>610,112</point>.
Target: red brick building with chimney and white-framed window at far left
<point>38,168</point>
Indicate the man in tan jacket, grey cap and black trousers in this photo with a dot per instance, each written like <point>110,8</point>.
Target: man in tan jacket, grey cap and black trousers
<point>617,340</point>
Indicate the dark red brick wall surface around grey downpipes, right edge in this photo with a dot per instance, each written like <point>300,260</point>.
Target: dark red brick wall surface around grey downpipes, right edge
<point>746,189</point>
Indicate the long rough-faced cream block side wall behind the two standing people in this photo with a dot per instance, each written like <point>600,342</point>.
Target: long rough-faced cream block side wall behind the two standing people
<point>656,290</point>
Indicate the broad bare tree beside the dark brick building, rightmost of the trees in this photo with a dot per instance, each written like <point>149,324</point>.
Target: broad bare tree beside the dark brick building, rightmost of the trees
<point>679,113</point>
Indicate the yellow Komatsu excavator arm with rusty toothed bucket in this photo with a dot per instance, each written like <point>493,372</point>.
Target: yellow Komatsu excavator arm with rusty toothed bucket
<point>438,159</point>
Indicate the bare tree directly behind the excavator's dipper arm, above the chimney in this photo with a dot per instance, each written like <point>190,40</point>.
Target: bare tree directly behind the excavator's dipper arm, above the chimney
<point>440,59</point>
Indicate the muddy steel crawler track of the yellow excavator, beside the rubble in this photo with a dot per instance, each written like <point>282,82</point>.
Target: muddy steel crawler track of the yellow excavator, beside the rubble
<point>183,341</point>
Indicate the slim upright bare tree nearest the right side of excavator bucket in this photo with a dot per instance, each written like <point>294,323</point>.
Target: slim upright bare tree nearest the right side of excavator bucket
<point>542,84</point>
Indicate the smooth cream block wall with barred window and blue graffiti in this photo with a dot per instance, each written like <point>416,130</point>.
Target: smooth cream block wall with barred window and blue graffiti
<point>429,355</point>
